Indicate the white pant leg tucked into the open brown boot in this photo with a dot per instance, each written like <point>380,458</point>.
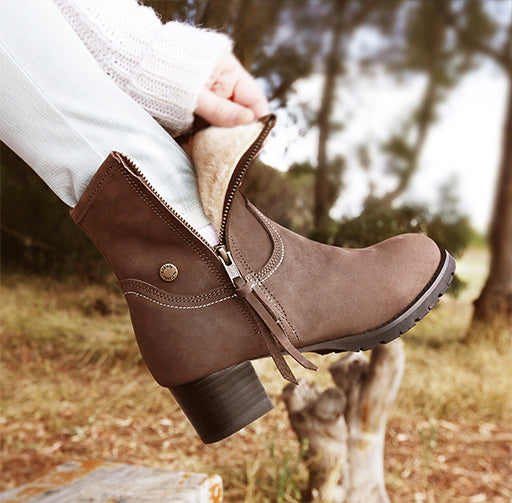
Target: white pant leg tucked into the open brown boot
<point>62,114</point>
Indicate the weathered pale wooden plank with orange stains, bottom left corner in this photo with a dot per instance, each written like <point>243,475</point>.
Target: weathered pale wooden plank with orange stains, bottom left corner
<point>104,482</point>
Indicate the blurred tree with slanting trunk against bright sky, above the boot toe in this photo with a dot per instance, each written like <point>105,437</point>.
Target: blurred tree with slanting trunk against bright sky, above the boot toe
<point>421,48</point>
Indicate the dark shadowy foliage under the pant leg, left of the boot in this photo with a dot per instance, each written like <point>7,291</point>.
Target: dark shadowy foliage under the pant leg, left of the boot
<point>37,232</point>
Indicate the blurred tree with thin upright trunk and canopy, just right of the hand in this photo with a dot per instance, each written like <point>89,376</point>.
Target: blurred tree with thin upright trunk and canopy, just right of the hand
<point>283,41</point>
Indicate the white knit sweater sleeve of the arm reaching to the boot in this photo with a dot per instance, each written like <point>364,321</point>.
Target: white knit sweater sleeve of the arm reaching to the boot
<point>163,67</point>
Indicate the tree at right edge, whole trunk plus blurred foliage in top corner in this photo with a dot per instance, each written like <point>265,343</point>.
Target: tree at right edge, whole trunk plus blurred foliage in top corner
<point>482,31</point>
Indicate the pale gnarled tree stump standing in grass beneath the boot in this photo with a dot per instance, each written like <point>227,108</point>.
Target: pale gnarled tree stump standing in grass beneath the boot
<point>343,428</point>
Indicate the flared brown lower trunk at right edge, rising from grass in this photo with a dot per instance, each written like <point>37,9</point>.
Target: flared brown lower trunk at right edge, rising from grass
<point>494,305</point>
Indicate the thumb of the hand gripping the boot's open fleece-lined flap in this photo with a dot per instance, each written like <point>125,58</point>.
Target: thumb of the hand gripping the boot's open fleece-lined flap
<point>222,112</point>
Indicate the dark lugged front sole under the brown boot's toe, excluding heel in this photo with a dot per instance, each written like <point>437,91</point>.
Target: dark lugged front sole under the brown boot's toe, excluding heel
<point>400,323</point>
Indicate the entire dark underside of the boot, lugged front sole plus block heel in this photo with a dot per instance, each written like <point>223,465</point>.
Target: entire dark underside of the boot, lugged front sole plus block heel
<point>226,401</point>
